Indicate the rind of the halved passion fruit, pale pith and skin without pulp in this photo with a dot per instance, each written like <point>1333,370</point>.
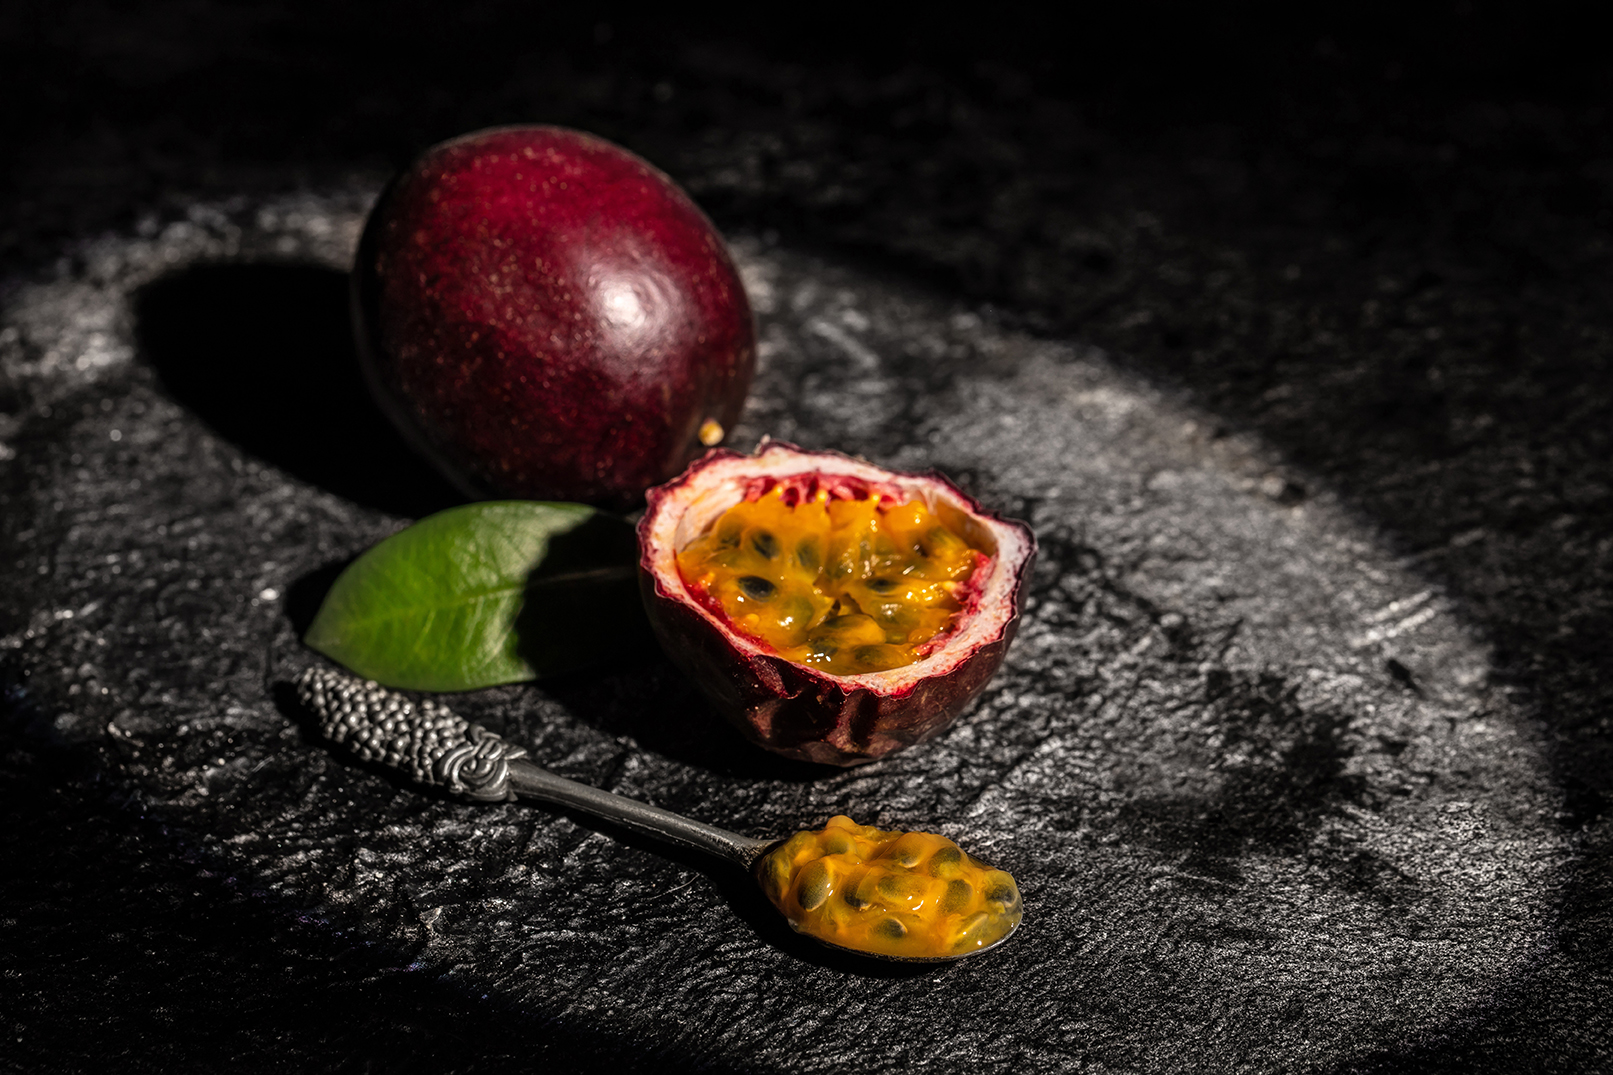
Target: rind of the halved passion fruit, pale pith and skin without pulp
<point>794,709</point>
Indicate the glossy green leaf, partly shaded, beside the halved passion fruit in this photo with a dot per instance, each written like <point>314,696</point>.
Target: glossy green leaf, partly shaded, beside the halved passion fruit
<point>486,595</point>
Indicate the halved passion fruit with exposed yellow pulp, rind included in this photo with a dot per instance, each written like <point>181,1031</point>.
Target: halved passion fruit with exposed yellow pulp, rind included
<point>832,609</point>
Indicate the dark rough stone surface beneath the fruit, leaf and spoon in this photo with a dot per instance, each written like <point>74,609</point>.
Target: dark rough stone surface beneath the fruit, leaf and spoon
<point>1302,755</point>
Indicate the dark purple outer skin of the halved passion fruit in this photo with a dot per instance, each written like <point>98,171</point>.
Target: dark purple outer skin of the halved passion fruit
<point>791,709</point>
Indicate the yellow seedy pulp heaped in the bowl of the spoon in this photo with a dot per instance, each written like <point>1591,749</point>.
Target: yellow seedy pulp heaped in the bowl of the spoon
<point>912,895</point>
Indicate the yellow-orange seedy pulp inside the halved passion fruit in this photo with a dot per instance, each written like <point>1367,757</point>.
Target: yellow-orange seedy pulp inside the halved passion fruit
<point>846,587</point>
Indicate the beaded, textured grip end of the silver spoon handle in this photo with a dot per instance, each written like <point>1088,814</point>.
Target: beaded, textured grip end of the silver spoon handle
<point>425,740</point>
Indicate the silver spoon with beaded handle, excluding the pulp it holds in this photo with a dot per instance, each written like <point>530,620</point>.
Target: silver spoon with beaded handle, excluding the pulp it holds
<point>435,747</point>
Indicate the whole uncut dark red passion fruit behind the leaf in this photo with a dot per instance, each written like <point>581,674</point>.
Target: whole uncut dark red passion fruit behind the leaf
<point>549,317</point>
